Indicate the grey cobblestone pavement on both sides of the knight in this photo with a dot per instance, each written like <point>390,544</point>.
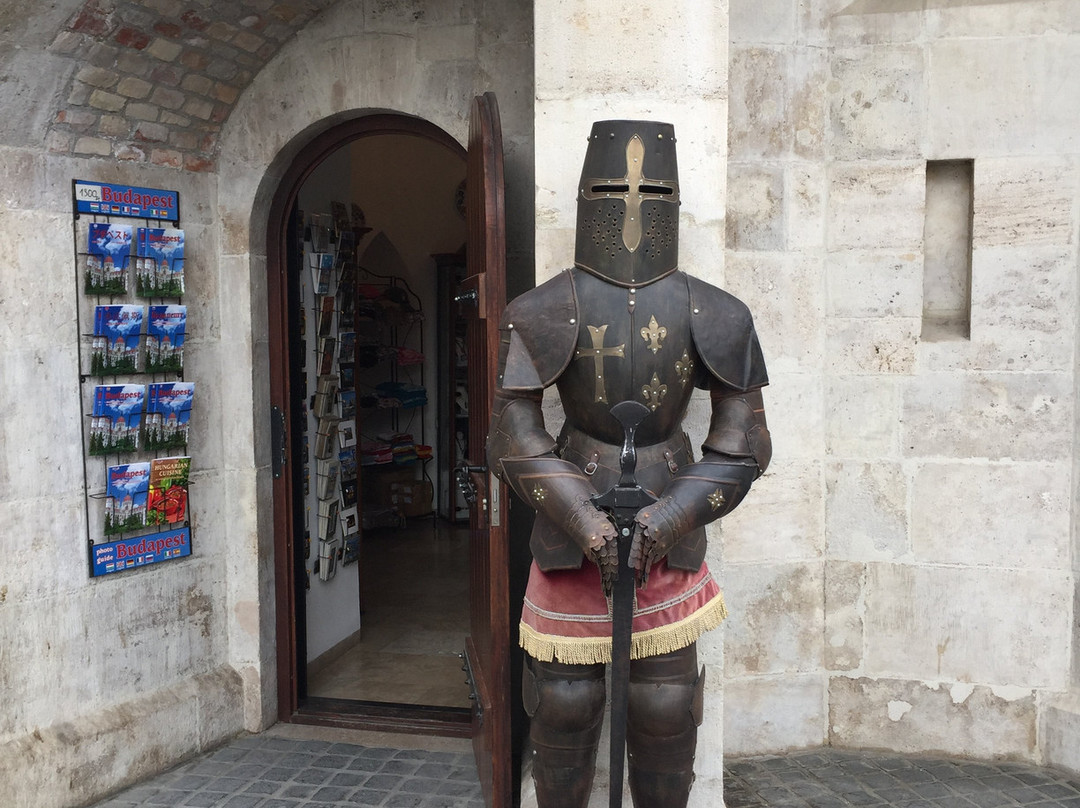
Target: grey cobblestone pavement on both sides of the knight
<point>276,772</point>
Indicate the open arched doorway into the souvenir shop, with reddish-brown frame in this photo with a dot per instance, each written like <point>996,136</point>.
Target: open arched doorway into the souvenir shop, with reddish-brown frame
<point>320,587</point>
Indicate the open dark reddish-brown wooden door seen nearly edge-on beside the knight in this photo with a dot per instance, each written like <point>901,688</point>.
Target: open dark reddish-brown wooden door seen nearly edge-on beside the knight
<point>483,299</point>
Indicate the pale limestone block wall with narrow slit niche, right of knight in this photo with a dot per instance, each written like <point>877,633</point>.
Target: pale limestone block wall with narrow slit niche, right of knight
<point>911,581</point>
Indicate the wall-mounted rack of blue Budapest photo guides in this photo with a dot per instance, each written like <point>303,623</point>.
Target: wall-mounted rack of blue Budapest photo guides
<point>129,258</point>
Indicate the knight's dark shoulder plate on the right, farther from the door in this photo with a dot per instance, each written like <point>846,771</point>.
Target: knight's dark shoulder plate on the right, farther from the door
<point>724,335</point>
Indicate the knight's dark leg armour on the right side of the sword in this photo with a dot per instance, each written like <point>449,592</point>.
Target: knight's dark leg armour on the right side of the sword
<point>666,705</point>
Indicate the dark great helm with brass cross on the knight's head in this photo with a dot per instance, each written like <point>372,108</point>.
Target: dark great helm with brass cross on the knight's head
<point>628,204</point>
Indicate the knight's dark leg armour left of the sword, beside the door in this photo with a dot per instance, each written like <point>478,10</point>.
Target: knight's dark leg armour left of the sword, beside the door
<point>566,707</point>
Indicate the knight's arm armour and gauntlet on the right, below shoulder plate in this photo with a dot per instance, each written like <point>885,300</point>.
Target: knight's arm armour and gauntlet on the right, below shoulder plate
<point>736,453</point>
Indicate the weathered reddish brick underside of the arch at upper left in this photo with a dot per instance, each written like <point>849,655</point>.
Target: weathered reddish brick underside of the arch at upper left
<point>157,79</point>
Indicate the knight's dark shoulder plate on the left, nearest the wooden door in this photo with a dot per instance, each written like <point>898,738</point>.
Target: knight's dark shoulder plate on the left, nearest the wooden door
<point>543,333</point>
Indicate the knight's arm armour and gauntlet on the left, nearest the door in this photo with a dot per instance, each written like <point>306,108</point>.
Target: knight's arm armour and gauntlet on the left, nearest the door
<point>523,455</point>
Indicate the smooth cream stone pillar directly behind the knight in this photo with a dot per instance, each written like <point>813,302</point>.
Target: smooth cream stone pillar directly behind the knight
<point>643,61</point>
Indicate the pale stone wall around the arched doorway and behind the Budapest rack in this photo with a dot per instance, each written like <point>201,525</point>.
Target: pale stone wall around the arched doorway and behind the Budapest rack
<point>109,681</point>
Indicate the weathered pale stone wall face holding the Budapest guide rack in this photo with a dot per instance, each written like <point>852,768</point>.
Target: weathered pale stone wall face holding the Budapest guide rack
<point>104,680</point>
